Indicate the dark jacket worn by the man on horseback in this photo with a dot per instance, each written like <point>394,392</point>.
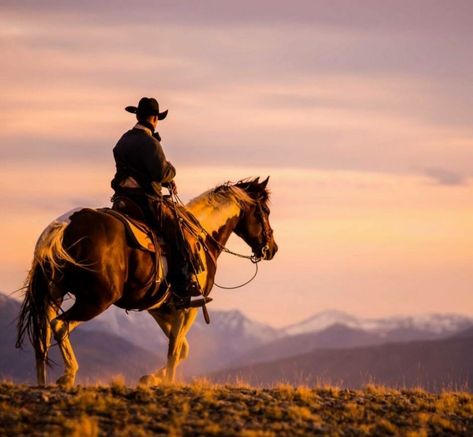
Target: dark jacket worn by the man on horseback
<point>139,155</point>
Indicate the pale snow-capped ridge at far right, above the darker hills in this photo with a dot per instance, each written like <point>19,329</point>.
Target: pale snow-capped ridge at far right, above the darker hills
<point>434,323</point>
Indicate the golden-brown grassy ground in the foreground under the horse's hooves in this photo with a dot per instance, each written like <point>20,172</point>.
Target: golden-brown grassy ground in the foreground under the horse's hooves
<point>204,409</point>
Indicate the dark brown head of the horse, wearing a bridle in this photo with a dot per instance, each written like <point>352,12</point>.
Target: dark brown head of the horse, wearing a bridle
<point>253,226</point>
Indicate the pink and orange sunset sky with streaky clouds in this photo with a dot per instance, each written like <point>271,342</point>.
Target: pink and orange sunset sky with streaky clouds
<point>360,111</point>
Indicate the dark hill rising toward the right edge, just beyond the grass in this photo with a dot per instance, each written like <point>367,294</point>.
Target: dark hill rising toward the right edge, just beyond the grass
<point>433,365</point>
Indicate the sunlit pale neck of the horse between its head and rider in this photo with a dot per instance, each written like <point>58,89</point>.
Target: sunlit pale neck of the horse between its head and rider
<point>218,220</point>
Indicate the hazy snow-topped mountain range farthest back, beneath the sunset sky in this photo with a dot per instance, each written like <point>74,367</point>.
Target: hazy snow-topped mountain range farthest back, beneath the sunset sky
<point>252,342</point>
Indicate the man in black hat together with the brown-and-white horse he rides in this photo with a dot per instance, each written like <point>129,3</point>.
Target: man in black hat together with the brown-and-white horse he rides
<point>87,252</point>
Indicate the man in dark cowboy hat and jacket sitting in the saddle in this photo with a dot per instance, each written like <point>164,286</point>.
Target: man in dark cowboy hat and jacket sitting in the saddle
<point>142,169</point>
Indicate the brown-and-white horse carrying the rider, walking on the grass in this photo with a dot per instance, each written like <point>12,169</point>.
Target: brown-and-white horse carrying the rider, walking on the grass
<point>87,255</point>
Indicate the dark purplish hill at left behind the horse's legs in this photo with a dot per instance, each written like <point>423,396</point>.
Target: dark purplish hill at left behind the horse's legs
<point>101,355</point>
